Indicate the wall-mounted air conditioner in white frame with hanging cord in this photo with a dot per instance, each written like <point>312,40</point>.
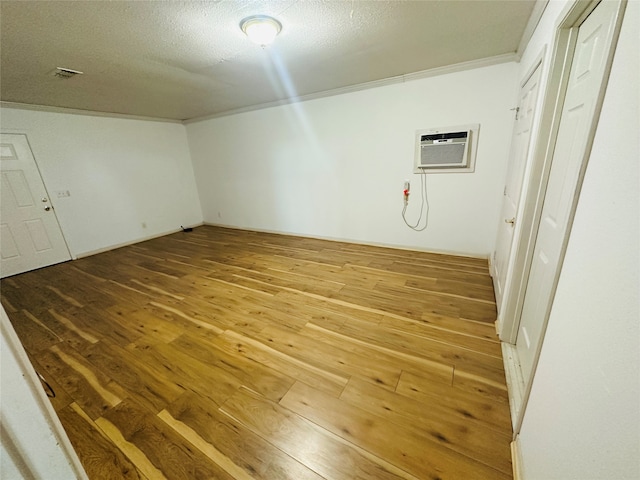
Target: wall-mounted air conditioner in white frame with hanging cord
<point>451,149</point>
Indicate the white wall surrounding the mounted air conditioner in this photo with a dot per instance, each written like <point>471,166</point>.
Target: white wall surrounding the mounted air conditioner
<point>335,167</point>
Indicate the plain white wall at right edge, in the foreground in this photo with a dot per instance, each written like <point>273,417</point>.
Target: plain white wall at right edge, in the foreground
<point>583,418</point>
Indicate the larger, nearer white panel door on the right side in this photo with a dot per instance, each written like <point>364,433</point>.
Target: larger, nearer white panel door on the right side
<point>578,118</point>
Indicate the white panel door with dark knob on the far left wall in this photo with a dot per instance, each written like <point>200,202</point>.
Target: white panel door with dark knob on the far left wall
<point>30,234</point>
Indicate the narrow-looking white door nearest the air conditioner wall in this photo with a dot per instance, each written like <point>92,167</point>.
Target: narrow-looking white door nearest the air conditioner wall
<point>520,141</point>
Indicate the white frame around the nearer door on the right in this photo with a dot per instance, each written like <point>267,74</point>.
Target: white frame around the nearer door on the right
<point>563,47</point>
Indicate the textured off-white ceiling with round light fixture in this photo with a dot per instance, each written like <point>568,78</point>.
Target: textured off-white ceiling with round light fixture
<point>189,59</point>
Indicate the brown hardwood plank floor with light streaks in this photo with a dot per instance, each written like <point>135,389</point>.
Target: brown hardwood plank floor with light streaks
<point>230,354</point>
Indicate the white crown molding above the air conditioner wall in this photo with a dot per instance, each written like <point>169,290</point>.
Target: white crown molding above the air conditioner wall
<point>458,67</point>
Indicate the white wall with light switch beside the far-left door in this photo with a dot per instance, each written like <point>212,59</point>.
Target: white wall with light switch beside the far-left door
<point>120,173</point>
